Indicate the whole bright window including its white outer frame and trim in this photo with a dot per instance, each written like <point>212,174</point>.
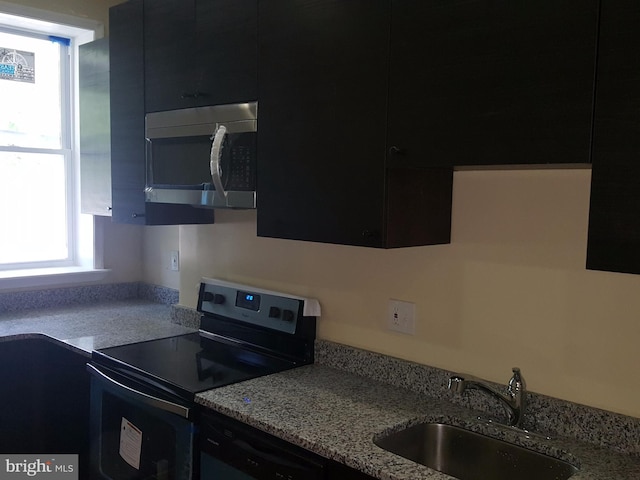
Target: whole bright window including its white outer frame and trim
<point>40,221</point>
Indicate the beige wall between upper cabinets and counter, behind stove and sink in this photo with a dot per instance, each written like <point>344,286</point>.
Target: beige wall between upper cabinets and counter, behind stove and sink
<point>510,290</point>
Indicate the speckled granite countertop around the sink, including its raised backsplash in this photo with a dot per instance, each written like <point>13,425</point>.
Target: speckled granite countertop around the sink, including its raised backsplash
<point>337,414</point>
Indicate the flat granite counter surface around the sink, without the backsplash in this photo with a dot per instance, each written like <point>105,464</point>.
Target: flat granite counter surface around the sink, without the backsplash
<point>337,414</point>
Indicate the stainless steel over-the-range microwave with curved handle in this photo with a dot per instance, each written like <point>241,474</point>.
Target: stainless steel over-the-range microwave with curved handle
<point>204,156</point>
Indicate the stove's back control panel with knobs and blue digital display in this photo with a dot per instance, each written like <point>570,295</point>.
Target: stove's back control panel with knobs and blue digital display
<point>264,308</point>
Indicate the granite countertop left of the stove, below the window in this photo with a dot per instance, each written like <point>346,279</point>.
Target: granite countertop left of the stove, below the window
<point>88,327</point>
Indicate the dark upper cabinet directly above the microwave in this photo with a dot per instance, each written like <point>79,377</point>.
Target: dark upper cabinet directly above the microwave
<point>199,52</point>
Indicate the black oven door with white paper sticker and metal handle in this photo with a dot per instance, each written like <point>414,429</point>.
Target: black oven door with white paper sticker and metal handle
<point>138,433</point>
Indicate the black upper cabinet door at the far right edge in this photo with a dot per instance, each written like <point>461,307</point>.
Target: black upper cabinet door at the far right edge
<point>614,218</point>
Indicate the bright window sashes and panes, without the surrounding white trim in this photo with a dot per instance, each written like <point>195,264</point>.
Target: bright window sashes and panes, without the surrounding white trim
<point>35,152</point>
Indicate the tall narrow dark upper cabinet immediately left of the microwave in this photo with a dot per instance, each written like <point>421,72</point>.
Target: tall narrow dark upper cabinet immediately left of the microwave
<point>127,85</point>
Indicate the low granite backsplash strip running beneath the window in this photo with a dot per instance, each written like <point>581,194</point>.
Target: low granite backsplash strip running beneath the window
<point>58,297</point>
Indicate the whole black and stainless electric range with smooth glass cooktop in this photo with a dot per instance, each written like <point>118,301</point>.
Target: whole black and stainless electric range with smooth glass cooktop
<point>143,423</point>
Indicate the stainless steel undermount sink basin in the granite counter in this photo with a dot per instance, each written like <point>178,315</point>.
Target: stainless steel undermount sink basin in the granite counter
<point>467,455</point>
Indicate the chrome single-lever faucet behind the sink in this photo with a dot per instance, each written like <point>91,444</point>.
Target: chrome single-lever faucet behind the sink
<point>513,397</point>
